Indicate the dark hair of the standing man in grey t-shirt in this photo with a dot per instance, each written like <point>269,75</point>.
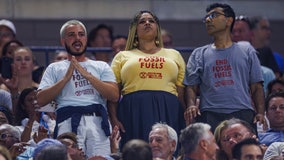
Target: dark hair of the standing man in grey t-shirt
<point>227,9</point>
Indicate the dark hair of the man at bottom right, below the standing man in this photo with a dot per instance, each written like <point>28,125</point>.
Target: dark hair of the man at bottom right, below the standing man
<point>237,149</point>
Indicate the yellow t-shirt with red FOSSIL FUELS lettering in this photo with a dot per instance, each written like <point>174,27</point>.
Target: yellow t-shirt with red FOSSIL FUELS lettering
<point>135,70</point>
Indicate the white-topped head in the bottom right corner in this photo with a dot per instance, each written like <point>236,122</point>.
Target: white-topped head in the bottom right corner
<point>276,149</point>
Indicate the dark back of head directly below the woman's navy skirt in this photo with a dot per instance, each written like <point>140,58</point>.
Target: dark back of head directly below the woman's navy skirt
<point>136,149</point>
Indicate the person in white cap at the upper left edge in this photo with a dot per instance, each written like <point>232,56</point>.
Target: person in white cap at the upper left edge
<point>7,33</point>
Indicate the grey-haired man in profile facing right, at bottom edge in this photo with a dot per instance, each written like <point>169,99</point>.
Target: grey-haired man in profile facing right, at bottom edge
<point>198,142</point>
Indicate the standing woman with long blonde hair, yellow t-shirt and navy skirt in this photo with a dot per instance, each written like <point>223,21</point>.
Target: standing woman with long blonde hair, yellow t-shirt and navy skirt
<point>150,79</point>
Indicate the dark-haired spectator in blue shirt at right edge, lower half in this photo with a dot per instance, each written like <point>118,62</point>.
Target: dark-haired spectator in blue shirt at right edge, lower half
<point>274,106</point>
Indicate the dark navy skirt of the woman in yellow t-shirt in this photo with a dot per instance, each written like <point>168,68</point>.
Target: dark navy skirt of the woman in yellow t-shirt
<point>139,111</point>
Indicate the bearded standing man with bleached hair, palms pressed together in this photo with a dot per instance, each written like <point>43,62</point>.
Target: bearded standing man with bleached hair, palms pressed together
<point>81,88</point>
